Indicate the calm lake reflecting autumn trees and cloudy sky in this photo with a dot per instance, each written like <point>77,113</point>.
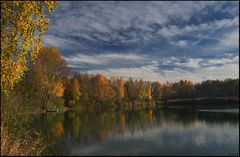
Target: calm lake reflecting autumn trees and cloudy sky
<point>142,132</point>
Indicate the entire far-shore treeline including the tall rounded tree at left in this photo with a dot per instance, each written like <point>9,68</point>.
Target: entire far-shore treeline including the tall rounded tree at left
<point>50,78</point>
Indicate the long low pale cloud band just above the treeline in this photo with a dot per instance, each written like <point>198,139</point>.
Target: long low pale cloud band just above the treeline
<point>161,69</point>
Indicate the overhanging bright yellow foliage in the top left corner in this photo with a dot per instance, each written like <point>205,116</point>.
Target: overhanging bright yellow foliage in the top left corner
<point>23,24</point>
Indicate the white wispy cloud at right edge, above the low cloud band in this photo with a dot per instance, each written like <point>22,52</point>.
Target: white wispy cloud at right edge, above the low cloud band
<point>217,36</point>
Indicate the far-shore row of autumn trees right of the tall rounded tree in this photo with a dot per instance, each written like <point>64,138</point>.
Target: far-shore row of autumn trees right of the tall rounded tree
<point>99,87</point>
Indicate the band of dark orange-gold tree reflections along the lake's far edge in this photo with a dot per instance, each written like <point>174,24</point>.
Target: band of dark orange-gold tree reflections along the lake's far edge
<point>98,126</point>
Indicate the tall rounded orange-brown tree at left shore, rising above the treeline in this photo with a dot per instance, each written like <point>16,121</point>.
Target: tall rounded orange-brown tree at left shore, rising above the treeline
<point>47,75</point>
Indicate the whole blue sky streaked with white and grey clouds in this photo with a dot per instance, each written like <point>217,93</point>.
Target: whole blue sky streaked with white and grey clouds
<point>154,41</point>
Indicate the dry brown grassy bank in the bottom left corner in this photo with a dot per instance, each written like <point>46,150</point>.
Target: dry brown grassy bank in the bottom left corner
<point>18,137</point>
